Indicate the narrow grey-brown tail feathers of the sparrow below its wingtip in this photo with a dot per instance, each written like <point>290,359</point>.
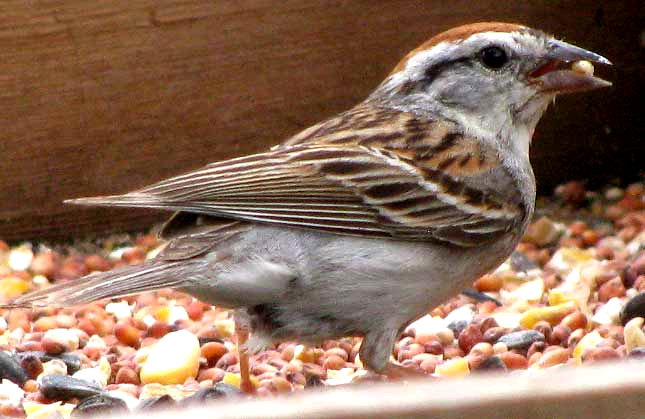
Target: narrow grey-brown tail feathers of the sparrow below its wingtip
<point>149,276</point>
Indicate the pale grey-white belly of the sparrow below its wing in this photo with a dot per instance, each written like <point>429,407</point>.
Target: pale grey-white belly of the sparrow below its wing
<point>343,285</point>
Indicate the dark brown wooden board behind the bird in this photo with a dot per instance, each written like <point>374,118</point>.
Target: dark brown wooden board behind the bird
<point>104,97</point>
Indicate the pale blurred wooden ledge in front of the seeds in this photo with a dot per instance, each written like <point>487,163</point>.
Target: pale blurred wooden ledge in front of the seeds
<point>614,390</point>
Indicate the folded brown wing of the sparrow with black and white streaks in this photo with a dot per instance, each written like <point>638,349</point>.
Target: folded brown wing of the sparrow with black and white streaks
<point>401,178</point>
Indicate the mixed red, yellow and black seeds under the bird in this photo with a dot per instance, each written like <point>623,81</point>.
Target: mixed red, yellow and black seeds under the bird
<point>572,293</point>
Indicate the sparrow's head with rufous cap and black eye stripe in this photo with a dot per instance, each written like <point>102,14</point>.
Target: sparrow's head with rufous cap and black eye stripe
<point>489,77</point>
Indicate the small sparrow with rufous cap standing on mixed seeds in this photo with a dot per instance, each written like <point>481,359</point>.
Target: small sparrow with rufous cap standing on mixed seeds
<point>362,223</point>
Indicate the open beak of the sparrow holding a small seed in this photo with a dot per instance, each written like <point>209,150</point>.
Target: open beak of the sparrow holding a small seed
<point>552,76</point>
